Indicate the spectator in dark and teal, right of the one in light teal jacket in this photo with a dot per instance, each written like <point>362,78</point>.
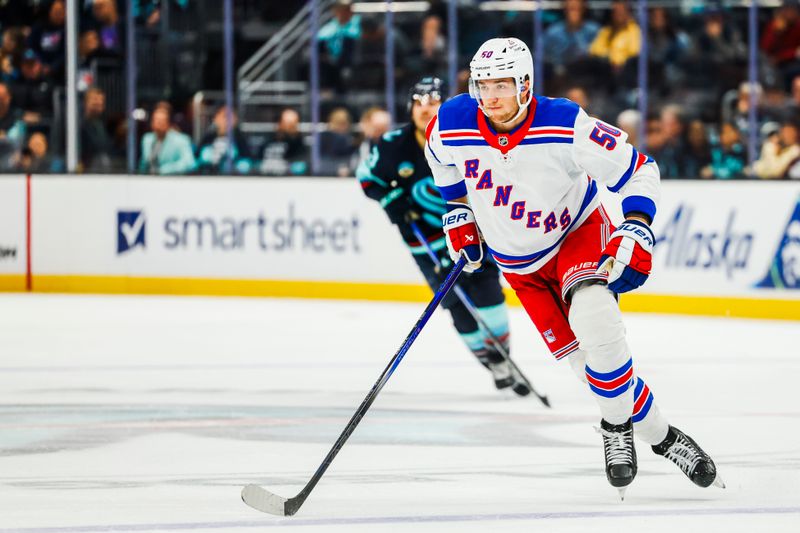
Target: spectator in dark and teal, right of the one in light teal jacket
<point>214,153</point>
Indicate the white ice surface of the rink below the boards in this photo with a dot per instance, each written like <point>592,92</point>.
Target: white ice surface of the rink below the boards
<point>149,414</point>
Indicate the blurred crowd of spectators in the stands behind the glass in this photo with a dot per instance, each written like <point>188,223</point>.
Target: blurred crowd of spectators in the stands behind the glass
<point>699,99</point>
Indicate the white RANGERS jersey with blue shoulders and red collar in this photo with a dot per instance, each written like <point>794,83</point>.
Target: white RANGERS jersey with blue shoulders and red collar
<point>530,187</point>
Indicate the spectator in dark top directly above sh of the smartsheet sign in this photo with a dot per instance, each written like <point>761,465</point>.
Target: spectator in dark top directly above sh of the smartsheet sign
<point>285,152</point>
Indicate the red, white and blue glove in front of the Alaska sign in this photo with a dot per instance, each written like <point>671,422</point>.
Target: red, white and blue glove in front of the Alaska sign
<point>628,257</point>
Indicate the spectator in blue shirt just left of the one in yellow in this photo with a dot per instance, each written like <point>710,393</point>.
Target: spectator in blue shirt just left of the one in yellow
<point>568,40</point>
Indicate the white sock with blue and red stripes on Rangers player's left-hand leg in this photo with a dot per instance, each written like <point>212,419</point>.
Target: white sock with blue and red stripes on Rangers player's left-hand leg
<point>596,320</point>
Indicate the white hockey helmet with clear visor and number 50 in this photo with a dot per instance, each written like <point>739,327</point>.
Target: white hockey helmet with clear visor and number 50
<point>502,58</point>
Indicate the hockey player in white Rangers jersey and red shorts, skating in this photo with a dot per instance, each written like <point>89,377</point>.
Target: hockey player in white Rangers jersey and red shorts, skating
<point>525,170</point>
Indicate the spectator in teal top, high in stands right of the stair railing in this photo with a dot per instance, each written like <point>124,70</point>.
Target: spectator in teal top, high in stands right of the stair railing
<point>337,40</point>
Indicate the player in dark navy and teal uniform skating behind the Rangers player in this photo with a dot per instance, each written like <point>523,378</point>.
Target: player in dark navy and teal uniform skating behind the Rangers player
<point>397,176</point>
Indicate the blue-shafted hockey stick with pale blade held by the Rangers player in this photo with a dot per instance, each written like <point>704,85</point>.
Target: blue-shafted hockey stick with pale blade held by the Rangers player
<point>265,501</point>
